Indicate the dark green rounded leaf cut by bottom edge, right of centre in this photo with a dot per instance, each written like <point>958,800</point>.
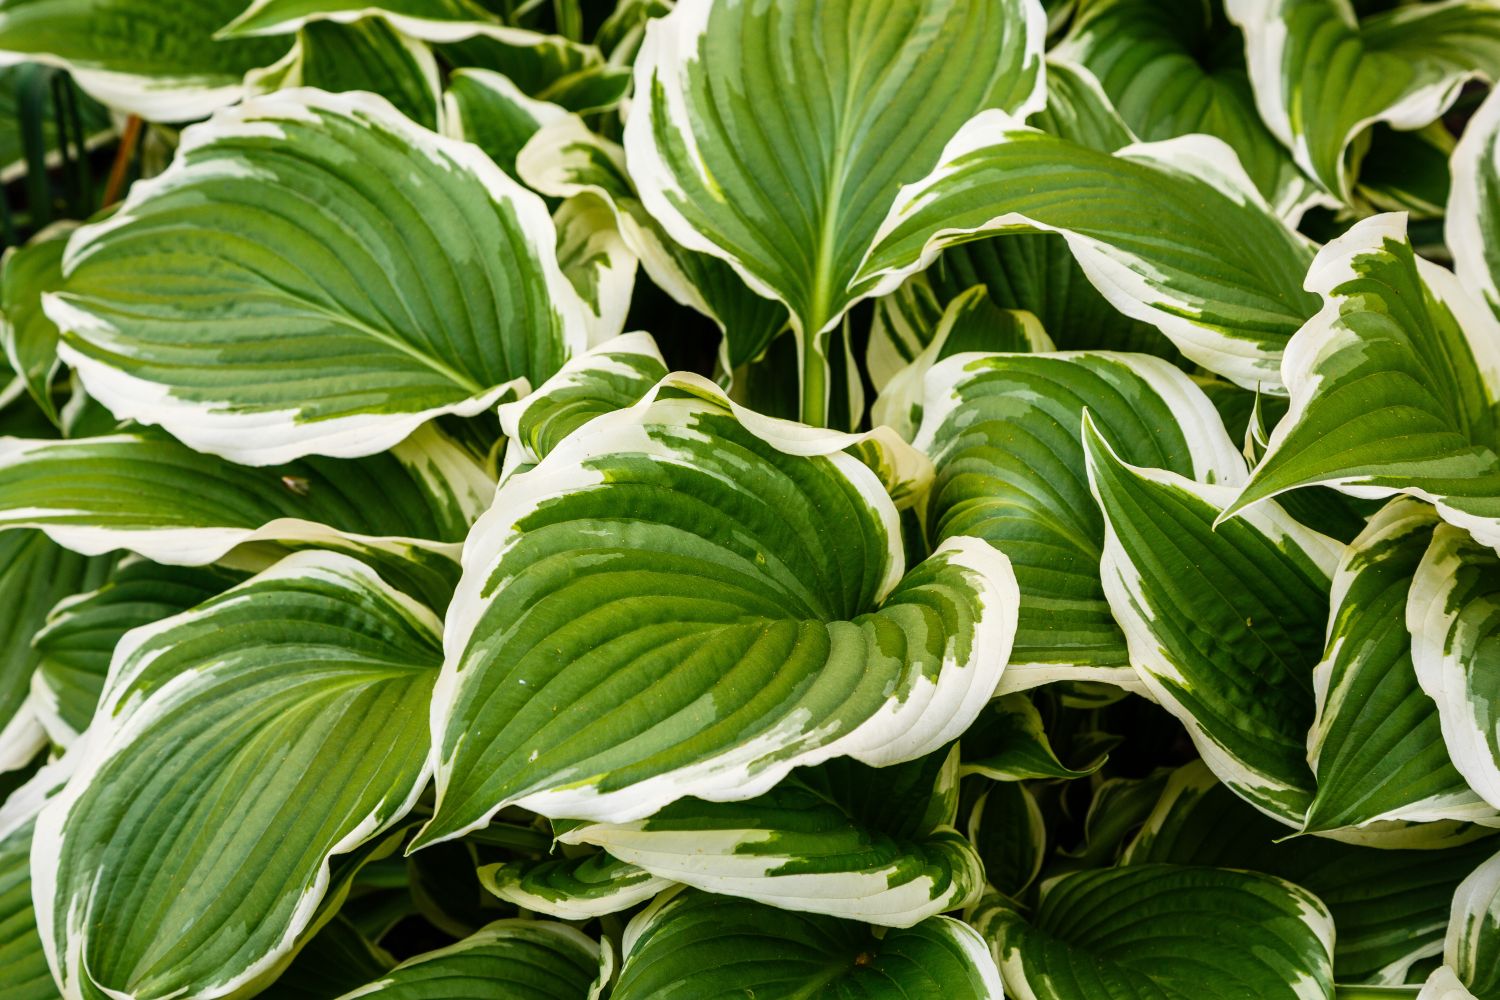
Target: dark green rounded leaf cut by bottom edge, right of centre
<point>1165,933</point>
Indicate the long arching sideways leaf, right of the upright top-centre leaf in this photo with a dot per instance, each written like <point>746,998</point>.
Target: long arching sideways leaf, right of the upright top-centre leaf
<point>1226,289</point>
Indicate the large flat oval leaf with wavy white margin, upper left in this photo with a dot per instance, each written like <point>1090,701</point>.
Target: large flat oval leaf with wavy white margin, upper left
<point>253,304</point>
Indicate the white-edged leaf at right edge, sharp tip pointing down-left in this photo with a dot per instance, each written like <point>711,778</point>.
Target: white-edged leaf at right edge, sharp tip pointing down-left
<point>1394,385</point>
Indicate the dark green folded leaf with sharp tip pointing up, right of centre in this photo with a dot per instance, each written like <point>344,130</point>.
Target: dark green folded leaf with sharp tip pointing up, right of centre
<point>1225,626</point>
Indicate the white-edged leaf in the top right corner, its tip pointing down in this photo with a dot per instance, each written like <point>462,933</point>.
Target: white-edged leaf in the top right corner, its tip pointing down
<point>1322,76</point>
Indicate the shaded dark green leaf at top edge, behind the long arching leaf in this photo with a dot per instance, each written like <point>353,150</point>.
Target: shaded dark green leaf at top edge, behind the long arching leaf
<point>1177,68</point>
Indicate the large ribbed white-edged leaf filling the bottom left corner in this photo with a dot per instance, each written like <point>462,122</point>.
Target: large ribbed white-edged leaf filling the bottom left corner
<point>262,734</point>
